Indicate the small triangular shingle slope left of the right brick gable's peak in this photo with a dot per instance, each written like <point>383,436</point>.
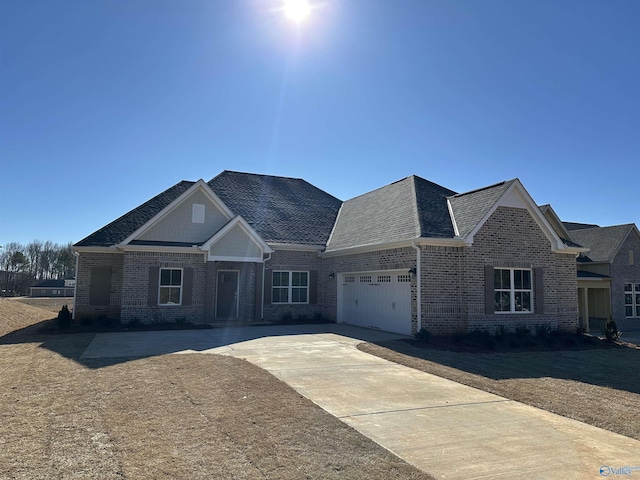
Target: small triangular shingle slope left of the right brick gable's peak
<point>471,207</point>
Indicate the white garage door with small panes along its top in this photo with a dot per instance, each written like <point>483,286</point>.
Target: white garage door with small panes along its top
<point>376,300</point>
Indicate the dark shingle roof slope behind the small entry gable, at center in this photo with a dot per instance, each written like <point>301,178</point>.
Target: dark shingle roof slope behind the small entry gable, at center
<point>280,209</point>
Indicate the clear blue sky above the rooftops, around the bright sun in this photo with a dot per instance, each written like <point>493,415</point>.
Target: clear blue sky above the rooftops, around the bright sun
<point>104,104</point>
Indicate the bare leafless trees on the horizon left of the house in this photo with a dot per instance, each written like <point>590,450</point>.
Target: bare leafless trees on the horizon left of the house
<point>21,266</point>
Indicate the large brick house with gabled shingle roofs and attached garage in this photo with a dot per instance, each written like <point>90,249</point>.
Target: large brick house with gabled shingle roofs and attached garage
<point>246,248</point>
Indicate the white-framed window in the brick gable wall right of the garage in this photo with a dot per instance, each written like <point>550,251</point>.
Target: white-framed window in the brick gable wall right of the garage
<point>512,290</point>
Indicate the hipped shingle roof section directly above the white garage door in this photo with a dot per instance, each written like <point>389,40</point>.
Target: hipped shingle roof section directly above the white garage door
<point>404,210</point>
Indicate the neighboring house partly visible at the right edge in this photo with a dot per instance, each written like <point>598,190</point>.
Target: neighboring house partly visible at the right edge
<point>608,274</point>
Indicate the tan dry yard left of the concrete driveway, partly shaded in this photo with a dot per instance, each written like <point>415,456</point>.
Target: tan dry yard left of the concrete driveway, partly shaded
<point>175,416</point>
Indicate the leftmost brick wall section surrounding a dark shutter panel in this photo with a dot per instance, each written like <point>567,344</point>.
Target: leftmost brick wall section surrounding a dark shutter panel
<point>86,262</point>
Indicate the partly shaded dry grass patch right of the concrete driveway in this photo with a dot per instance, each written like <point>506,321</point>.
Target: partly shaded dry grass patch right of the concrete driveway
<point>598,386</point>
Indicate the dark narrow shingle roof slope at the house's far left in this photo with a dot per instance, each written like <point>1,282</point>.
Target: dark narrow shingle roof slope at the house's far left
<point>118,230</point>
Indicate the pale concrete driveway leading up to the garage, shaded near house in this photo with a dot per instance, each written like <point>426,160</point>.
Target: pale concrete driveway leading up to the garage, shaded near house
<point>444,428</point>
